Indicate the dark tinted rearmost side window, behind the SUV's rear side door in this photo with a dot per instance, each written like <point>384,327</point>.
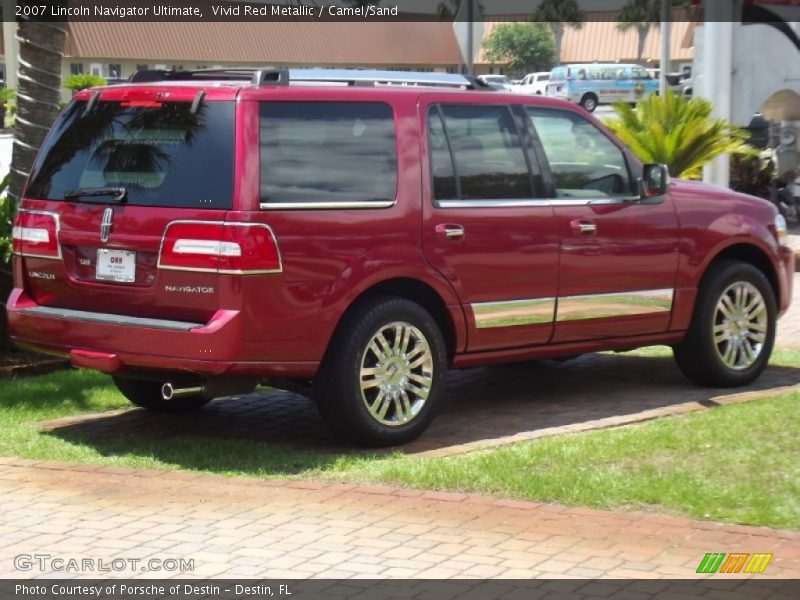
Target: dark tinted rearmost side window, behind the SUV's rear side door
<point>327,152</point>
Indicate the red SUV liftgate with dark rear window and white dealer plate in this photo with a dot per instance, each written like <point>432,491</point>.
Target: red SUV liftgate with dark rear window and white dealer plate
<point>116,170</point>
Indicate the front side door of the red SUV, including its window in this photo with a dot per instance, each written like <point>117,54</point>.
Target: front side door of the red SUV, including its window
<point>619,253</point>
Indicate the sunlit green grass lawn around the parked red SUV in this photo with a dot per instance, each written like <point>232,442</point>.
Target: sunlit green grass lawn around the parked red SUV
<point>737,463</point>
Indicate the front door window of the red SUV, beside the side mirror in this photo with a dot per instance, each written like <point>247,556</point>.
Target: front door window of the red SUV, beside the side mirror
<point>583,161</point>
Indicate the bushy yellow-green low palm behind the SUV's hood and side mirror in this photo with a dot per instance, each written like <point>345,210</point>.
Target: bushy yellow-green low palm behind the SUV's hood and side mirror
<point>677,132</point>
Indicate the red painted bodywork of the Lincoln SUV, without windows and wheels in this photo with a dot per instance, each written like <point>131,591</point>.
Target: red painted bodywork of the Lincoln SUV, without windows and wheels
<point>280,324</point>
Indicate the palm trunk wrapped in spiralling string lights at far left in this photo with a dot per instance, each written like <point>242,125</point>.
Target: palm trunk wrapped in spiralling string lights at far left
<point>41,47</point>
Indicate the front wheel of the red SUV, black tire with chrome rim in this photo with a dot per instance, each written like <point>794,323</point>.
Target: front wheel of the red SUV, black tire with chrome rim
<point>700,357</point>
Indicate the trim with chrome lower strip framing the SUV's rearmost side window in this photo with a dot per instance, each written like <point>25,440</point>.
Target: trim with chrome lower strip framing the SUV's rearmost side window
<point>341,205</point>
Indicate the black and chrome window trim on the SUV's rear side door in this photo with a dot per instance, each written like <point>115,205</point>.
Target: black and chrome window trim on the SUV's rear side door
<point>534,201</point>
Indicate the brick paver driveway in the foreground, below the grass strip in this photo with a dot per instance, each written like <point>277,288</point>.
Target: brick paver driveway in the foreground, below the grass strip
<point>248,528</point>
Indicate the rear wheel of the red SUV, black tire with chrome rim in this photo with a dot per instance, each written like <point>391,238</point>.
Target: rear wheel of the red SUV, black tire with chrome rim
<point>338,385</point>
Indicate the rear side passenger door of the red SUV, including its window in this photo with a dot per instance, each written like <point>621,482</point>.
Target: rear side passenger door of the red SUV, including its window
<point>486,226</point>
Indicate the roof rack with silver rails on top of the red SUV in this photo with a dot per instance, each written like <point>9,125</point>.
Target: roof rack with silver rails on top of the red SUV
<point>272,76</point>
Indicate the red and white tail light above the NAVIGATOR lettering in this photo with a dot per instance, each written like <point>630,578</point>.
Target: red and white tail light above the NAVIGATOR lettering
<point>234,248</point>
